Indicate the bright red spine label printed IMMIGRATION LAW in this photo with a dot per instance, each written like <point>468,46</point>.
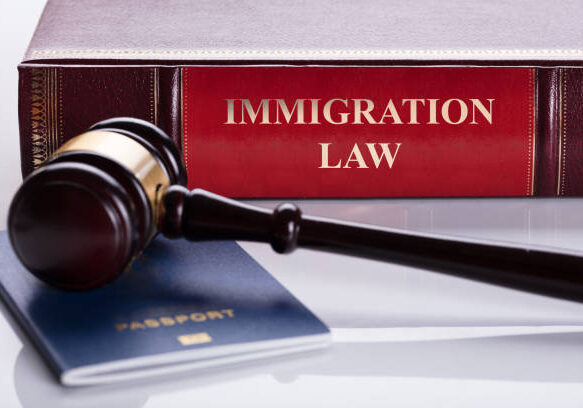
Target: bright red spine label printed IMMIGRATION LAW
<point>359,131</point>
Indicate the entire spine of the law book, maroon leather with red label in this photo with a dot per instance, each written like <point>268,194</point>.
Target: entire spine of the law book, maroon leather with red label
<point>331,131</point>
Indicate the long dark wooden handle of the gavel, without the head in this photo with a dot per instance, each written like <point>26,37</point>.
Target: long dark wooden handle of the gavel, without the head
<point>200,215</point>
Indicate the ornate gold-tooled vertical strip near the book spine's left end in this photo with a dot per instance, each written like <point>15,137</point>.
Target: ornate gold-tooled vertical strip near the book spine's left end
<point>46,113</point>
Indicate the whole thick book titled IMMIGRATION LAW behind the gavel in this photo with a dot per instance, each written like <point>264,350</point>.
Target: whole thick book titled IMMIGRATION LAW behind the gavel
<point>325,99</point>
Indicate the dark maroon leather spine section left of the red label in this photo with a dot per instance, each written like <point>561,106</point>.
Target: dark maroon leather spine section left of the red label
<point>58,102</point>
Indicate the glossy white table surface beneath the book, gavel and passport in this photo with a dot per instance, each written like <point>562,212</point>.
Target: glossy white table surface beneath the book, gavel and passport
<point>402,336</point>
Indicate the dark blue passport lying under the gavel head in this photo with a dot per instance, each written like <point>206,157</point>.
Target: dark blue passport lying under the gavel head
<point>181,306</point>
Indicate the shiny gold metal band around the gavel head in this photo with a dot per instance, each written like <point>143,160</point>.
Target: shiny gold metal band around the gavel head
<point>130,154</point>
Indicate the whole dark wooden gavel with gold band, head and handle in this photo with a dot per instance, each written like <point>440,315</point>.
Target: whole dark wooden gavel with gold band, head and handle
<point>79,221</point>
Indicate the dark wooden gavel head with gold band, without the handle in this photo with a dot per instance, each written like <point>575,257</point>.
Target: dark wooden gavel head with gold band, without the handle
<point>79,220</point>
